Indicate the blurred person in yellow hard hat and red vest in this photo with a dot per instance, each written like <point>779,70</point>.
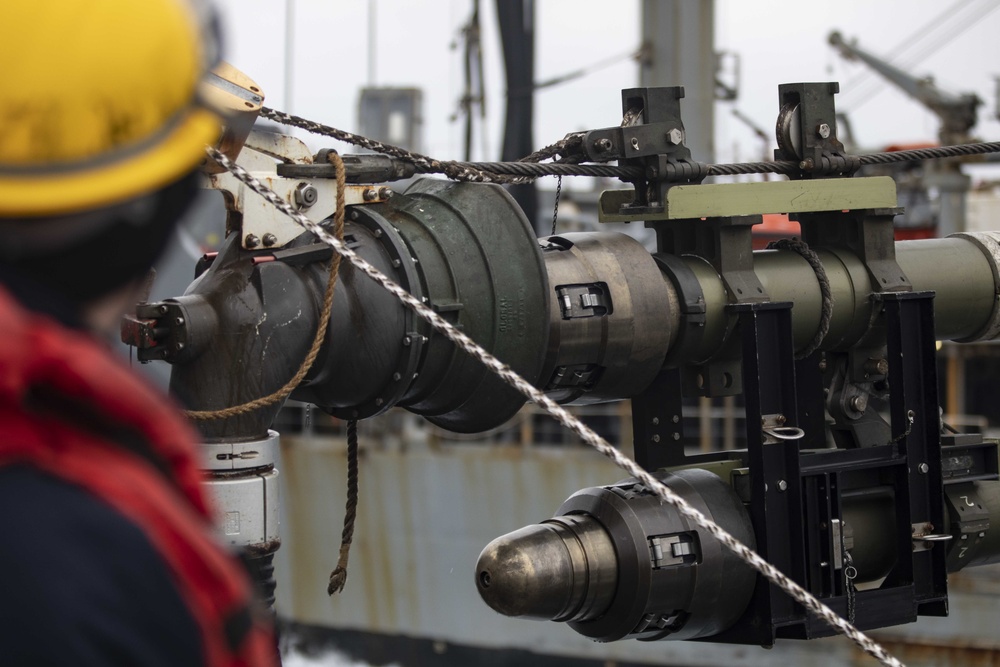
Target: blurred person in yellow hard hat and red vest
<point>108,555</point>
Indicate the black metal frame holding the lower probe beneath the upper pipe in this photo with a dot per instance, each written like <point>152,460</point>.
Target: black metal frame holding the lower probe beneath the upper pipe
<point>796,491</point>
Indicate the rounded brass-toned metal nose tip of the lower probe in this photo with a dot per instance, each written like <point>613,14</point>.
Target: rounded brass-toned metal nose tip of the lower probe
<point>563,569</point>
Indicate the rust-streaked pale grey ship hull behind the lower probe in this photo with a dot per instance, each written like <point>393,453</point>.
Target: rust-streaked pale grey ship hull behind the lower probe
<point>425,513</point>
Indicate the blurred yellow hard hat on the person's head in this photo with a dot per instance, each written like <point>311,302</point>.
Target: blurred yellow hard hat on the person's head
<point>99,102</point>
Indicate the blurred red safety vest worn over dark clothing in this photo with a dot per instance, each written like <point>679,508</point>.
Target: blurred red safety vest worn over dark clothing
<point>48,372</point>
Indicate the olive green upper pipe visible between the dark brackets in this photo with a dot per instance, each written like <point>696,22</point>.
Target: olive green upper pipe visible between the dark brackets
<point>955,269</point>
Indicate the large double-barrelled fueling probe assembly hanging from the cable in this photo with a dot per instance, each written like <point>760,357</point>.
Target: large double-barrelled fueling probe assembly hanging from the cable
<point>847,483</point>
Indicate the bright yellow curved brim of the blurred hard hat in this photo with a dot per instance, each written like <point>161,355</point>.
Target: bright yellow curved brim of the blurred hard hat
<point>180,151</point>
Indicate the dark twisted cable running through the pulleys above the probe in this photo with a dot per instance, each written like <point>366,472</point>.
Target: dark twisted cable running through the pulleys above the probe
<point>570,148</point>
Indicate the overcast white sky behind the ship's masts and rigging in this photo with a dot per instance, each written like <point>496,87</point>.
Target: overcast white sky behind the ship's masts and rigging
<point>778,41</point>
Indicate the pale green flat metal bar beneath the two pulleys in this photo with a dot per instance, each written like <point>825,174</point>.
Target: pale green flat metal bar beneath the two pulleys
<point>715,200</point>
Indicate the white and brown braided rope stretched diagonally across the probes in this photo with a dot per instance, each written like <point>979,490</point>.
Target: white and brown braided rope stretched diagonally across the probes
<point>768,571</point>
